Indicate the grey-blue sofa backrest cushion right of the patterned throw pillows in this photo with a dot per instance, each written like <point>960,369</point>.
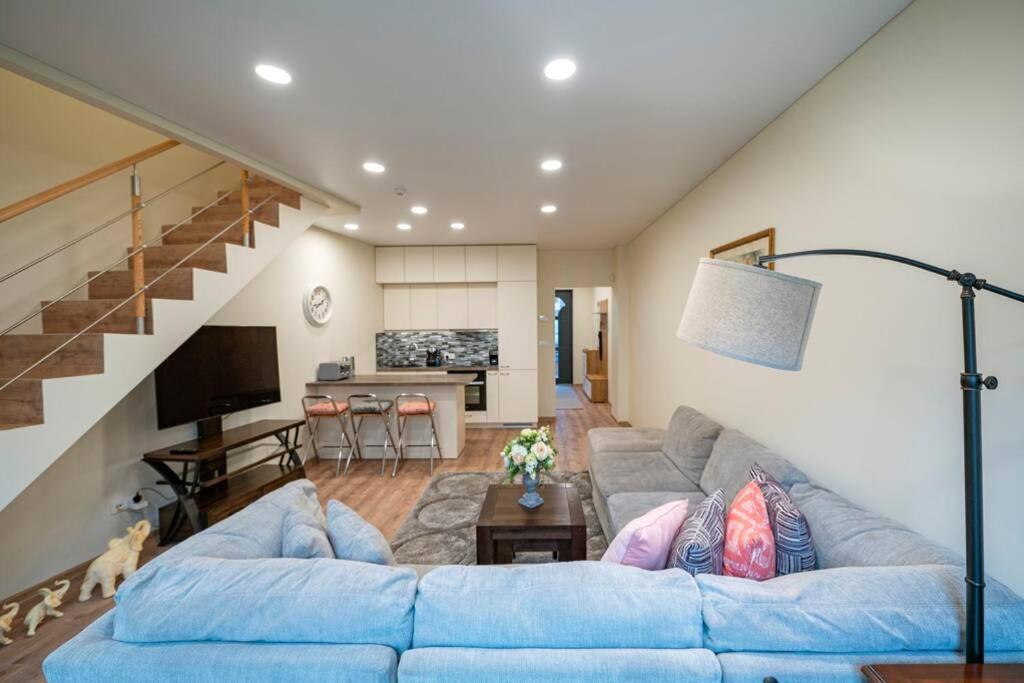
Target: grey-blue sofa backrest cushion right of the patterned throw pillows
<point>847,536</point>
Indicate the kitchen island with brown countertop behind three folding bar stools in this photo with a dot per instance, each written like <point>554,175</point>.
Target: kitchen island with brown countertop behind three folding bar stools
<point>448,391</point>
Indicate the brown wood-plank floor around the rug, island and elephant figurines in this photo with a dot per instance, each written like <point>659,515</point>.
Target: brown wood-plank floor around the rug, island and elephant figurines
<point>382,501</point>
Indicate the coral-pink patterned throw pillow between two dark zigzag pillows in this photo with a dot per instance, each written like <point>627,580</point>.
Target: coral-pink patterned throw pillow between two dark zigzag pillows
<point>750,547</point>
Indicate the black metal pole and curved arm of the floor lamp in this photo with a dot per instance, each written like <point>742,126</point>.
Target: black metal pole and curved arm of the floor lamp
<point>971,386</point>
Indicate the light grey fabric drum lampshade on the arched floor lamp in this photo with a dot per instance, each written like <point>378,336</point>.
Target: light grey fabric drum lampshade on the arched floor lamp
<point>750,314</point>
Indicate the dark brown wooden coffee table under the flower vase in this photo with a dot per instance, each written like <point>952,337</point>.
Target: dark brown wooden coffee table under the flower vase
<point>506,528</point>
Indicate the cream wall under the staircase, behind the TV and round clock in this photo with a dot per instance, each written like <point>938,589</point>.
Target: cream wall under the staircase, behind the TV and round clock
<point>64,519</point>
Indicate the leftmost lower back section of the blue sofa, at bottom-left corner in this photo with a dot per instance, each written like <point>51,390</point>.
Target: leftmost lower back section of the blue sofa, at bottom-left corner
<point>94,657</point>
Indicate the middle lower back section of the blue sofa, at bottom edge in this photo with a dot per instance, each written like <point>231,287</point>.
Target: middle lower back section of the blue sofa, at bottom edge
<point>461,665</point>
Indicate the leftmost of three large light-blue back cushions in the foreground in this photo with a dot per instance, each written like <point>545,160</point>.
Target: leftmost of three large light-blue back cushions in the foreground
<point>269,601</point>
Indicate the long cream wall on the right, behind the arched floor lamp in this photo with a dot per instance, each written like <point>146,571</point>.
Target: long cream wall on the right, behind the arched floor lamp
<point>913,146</point>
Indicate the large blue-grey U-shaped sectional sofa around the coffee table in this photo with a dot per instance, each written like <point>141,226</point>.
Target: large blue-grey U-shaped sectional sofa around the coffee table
<point>225,606</point>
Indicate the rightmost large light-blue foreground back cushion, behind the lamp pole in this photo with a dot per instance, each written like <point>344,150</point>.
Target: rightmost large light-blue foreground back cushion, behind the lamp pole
<point>854,610</point>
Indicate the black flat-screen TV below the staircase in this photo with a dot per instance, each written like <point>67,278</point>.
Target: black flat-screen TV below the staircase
<point>220,370</point>
